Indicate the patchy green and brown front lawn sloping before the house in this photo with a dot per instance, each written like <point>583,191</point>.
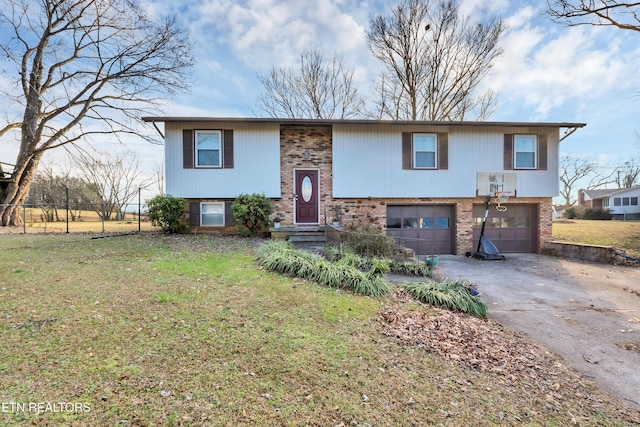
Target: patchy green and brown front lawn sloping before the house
<point>160,330</point>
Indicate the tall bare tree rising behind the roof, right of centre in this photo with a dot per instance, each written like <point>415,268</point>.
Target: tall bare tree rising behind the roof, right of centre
<point>434,61</point>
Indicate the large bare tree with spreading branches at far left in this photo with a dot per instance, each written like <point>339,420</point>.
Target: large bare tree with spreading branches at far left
<point>81,68</point>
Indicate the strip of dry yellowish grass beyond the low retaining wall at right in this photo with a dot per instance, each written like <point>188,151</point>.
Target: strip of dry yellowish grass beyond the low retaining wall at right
<point>619,234</point>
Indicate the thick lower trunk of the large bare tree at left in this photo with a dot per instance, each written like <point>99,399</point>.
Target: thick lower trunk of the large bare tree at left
<point>18,189</point>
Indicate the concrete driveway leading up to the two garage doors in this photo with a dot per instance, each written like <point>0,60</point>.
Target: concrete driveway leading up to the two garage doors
<point>586,313</point>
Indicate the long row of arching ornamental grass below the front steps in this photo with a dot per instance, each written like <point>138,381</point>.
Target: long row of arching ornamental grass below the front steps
<point>282,258</point>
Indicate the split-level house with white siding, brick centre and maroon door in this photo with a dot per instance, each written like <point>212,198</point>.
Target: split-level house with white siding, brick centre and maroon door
<point>416,180</point>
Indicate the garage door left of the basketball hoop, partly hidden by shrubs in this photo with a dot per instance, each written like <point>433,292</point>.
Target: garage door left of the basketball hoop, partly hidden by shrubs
<point>425,229</point>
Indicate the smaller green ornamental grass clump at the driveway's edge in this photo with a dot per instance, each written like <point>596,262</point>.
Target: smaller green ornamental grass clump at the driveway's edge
<point>453,295</point>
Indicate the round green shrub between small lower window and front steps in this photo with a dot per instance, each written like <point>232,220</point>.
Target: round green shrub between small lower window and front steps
<point>252,211</point>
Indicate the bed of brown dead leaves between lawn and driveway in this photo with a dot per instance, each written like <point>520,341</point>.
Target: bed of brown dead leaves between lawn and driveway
<point>514,363</point>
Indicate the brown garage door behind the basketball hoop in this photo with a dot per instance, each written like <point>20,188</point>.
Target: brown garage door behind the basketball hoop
<point>514,230</point>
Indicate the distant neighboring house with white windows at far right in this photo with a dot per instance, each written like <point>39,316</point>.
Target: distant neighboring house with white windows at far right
<point>622,203</point>
